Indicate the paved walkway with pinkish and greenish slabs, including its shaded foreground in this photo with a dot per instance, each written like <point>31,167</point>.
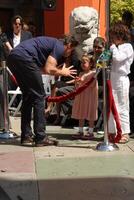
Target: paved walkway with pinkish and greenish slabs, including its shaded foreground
<point>72,171</point>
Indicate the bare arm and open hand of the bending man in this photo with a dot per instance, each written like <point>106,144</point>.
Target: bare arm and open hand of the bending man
<point>52,68</point>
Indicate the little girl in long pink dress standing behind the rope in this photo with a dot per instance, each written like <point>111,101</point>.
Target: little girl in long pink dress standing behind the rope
<point>86,103</point>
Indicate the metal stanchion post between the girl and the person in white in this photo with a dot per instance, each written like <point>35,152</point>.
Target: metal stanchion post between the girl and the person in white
<point>105,146</point>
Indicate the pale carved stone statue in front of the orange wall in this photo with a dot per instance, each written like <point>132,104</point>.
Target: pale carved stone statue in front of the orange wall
<point>84,27</point>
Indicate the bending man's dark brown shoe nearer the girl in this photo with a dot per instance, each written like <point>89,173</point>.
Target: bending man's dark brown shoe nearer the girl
<point>46,142</point>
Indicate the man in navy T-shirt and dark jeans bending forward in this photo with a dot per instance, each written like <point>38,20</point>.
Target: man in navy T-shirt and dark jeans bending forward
<point>27,62</point>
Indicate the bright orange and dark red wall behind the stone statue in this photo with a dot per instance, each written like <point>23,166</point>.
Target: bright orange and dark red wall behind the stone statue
<point>56,23</point>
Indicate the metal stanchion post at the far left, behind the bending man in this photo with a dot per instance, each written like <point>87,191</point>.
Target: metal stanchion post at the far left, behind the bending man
<point>5,134</point>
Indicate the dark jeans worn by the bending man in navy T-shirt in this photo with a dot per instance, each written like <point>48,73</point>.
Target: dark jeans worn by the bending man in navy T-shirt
<point>28,76</point>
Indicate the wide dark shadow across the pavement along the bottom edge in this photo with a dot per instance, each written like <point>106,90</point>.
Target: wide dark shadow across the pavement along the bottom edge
<point>94,188</point>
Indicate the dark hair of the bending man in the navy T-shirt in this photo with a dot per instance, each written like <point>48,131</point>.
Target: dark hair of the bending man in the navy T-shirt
<point>70,39</point>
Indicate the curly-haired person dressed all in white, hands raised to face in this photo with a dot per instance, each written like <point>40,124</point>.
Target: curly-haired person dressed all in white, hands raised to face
<point>122,58</point>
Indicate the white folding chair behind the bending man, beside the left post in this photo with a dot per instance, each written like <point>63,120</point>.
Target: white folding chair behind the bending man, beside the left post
<point>12,94</point>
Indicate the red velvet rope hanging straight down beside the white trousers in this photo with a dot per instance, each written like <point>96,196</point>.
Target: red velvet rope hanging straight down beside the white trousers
<point>112,107</point>
